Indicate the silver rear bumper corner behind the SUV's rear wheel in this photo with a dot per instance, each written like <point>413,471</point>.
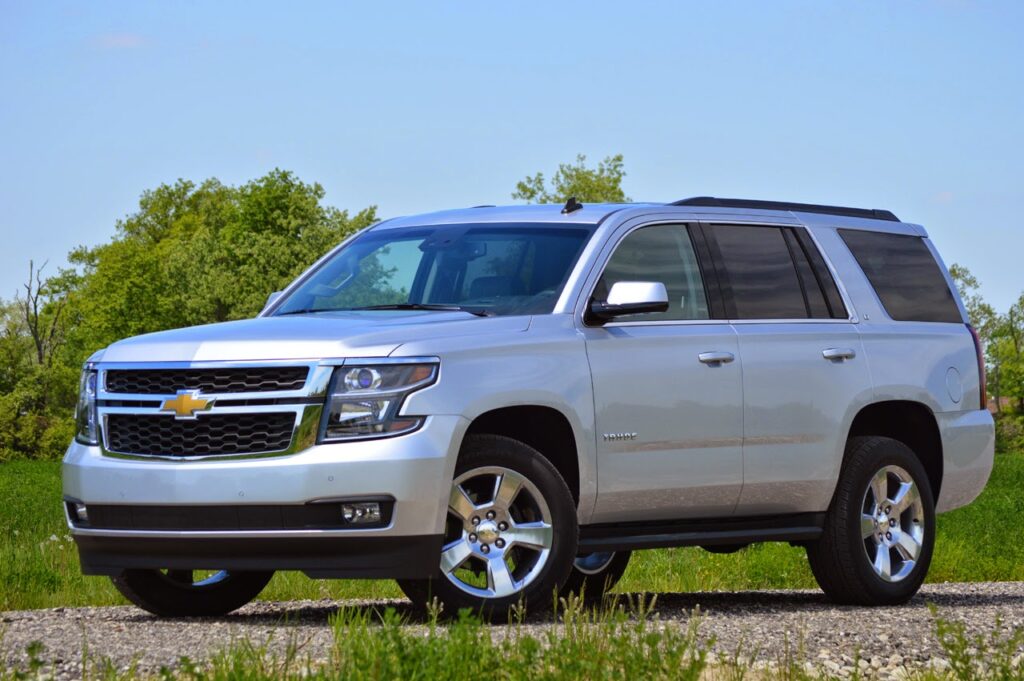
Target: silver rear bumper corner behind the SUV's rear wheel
<point>968,448</point>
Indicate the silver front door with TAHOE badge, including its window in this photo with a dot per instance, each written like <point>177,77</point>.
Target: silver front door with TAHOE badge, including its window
<point>668,391</point>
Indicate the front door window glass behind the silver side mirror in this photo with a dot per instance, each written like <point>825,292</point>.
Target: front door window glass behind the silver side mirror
<point>659,253</point>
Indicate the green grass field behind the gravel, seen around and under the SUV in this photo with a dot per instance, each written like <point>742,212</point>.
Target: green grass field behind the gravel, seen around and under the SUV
<point>39,565</point>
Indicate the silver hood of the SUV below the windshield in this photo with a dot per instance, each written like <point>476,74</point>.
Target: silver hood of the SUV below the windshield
<point>325,335</point>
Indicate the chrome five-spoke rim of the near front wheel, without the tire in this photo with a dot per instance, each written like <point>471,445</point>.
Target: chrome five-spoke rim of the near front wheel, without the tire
<point>499,533</point>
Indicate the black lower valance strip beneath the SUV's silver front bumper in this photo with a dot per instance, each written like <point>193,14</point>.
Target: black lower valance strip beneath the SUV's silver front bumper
<point>371,558</point>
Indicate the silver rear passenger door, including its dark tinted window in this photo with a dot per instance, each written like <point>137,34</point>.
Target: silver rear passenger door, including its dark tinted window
<point>804,369</point>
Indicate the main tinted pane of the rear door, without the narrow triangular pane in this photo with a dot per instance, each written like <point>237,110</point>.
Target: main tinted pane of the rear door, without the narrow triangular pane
<point>761,272</point>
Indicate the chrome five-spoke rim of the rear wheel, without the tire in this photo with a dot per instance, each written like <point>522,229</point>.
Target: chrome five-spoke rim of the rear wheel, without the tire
<point>892,524</point>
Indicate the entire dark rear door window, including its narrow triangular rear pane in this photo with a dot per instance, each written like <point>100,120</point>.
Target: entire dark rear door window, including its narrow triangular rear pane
<point>775,274</point>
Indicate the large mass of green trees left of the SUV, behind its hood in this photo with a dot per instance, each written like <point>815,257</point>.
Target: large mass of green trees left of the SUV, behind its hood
<point>191,254</point>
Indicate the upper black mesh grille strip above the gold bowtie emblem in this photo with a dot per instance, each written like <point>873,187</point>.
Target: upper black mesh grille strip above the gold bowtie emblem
<point>169,381</point>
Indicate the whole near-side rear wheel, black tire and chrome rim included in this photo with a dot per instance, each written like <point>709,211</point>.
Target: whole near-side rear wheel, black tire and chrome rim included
<point>869,556</point>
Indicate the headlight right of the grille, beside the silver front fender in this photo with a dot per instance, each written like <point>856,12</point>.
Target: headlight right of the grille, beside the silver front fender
<point>365,401</point>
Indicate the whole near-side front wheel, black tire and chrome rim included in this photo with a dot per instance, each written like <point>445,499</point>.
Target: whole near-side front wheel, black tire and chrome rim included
<point>534,528</point>
